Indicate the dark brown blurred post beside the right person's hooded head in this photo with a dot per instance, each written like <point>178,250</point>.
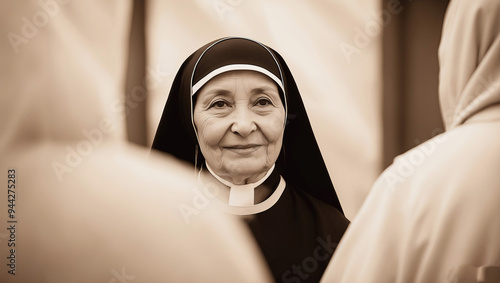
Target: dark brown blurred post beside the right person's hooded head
<point>411,111</point>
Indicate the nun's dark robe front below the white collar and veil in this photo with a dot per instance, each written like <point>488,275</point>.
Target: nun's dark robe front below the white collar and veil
<point>297,235</point>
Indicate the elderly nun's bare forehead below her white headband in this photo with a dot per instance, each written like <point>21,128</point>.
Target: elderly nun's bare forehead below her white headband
<point>249,79</point>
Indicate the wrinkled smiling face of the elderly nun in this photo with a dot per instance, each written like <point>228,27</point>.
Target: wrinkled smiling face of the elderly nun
<point>239,118</point>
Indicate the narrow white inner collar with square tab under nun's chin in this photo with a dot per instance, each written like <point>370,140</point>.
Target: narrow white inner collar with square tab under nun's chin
<point>241,195</point>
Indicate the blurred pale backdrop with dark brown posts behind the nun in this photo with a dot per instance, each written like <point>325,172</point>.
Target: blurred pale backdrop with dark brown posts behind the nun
<point>367,69</point>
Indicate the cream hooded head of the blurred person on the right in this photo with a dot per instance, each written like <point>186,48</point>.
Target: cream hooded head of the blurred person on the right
<point>469,56</point>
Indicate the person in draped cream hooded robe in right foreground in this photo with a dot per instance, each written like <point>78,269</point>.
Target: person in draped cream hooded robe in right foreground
<point>434,214</point>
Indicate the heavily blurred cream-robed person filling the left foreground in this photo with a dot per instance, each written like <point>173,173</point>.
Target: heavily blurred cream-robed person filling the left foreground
<point>89,207</point>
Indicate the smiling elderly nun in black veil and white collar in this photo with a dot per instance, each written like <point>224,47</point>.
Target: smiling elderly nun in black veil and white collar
<point>235,114</point>
